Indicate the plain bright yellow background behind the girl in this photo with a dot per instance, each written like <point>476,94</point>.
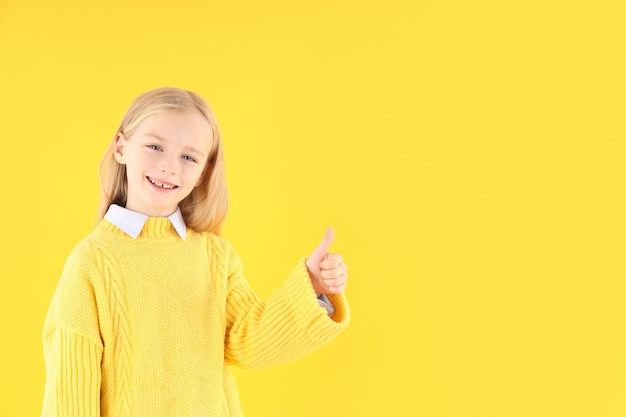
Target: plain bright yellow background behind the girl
<point>470,155</point>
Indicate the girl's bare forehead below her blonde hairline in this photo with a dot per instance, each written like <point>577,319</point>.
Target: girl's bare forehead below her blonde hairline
<point>187,128</point>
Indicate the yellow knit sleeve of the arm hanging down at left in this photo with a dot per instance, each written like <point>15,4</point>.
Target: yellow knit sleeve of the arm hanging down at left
<point>72,344</point>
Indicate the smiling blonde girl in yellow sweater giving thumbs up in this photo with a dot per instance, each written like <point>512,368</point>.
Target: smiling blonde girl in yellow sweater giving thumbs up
<point>152,307</point>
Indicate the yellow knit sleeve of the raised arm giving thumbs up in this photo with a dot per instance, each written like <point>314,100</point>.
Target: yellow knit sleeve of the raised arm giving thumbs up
<point>289,325</point>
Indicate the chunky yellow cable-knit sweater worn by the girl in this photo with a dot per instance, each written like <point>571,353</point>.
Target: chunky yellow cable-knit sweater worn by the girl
<point>149,326</point>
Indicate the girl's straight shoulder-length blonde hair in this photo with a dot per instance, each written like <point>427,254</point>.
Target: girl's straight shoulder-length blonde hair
<point>205,208</point>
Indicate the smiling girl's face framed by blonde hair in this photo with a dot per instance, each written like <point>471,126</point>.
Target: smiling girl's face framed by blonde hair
<point>164,159</point>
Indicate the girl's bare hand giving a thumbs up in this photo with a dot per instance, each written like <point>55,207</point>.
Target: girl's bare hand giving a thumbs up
<point>327,270</point>
